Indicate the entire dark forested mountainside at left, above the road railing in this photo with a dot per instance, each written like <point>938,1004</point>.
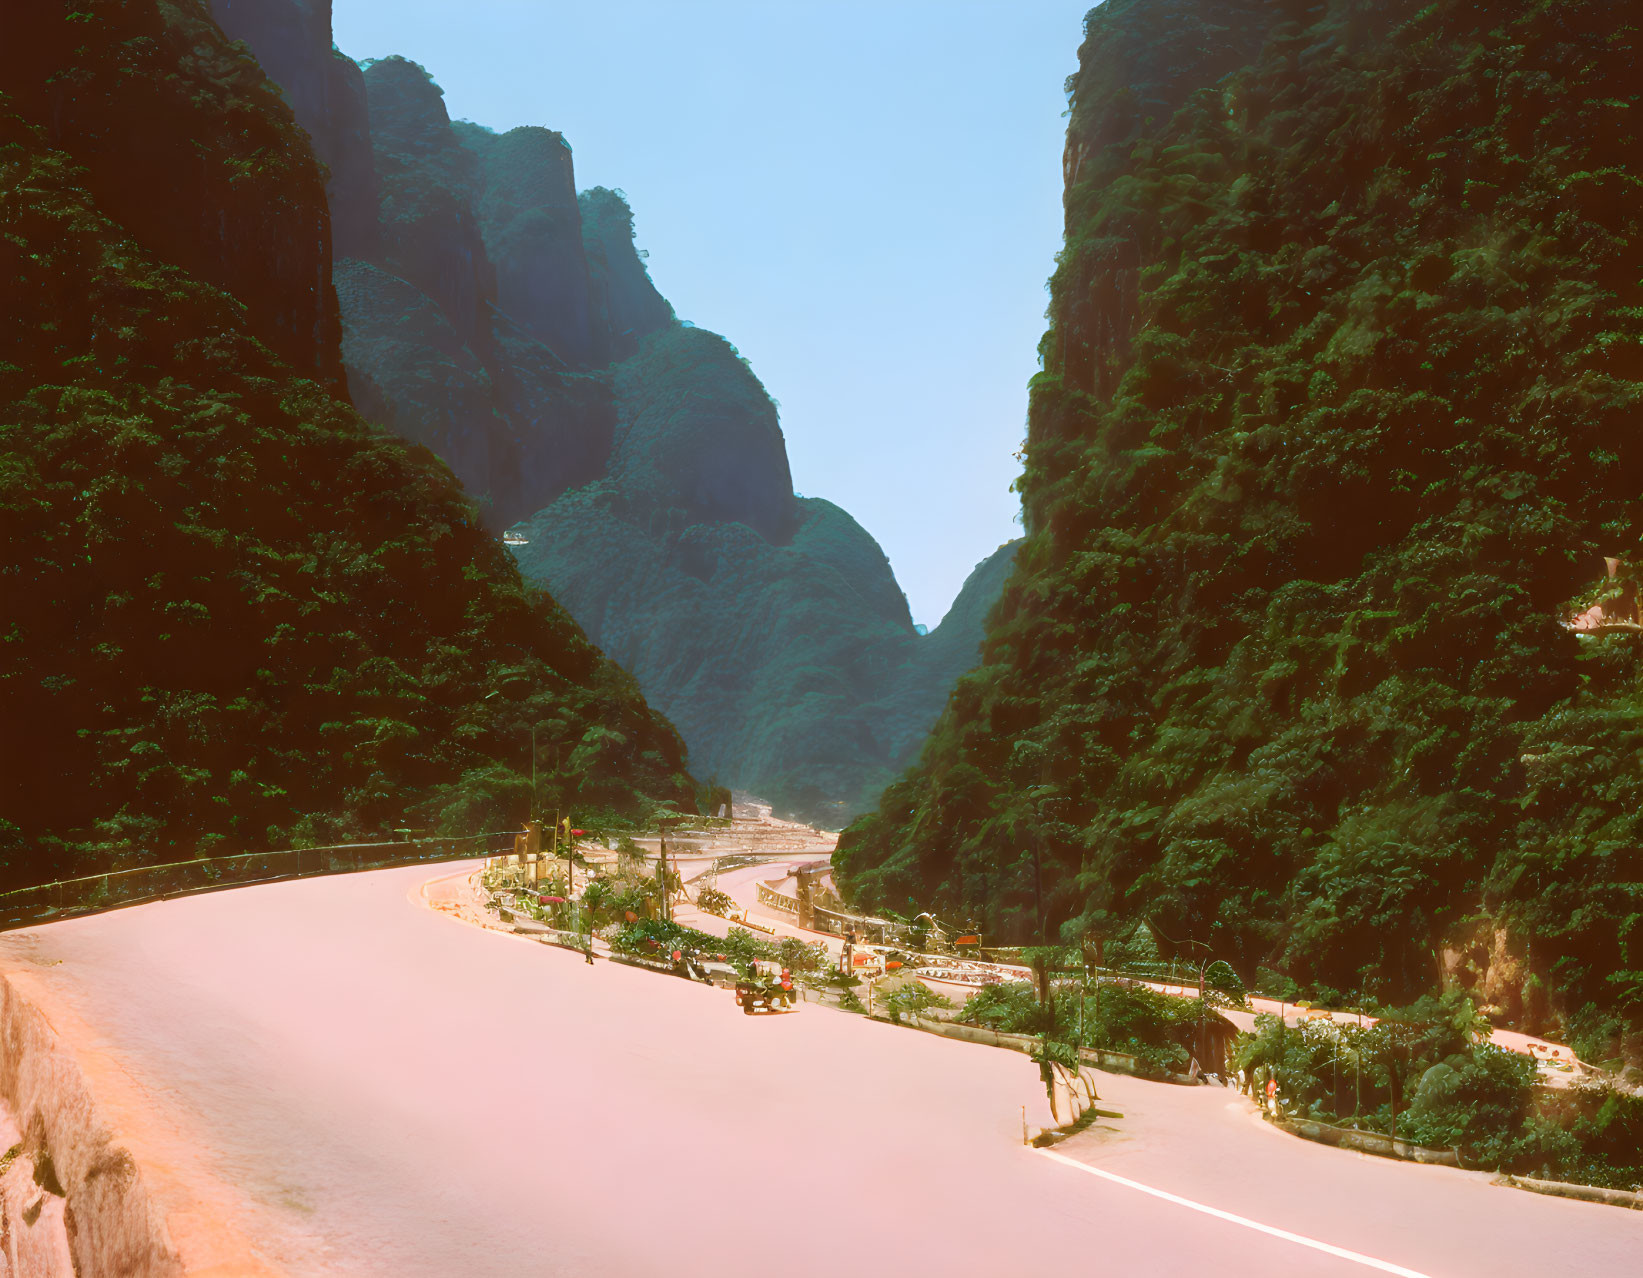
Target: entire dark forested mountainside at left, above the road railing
<point>234,614</point>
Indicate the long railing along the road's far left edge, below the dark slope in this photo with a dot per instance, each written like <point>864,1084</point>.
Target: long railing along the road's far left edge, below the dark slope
<point>137,885</point>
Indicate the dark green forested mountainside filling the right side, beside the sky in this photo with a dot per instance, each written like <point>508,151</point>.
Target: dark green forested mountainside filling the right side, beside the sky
<point>1338,416</point>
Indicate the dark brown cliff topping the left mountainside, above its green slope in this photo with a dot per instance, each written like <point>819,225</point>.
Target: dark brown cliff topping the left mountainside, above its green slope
<point>106,88</point>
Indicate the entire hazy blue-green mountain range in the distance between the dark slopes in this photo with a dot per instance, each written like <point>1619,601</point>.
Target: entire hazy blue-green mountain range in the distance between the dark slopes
<point>510,324</point>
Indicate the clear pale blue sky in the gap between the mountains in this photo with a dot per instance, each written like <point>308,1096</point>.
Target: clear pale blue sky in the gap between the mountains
<point>863,196</point>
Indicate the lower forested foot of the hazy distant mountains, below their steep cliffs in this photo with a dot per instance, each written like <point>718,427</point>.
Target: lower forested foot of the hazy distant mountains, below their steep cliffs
<point>781,663</point>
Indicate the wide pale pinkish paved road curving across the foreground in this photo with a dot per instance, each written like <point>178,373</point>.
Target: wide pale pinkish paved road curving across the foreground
<point>397,1093</point>
